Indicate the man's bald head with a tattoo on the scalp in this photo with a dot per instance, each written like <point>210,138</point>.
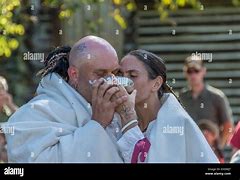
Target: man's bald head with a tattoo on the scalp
<point>91,58</point>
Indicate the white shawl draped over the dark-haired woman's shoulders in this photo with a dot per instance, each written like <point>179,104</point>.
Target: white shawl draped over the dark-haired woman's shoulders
<point>175,137</point>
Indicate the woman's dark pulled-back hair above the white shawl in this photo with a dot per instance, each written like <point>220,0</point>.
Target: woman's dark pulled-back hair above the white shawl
<point>155,67</point>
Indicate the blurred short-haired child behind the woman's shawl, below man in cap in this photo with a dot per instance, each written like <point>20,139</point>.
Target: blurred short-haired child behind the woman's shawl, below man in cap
<point>211,132</point>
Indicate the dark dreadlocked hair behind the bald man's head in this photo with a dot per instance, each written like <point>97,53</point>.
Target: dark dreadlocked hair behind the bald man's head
<point>57,61</point>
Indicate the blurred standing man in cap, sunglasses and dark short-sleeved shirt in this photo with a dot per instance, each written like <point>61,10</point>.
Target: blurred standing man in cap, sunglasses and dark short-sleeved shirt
<point>203,101</point>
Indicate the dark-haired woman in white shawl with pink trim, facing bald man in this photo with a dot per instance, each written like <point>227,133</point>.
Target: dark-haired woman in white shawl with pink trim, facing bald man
<point>165,132</point>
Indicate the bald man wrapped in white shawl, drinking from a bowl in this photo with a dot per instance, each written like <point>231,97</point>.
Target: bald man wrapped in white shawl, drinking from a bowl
<point>71,119</point>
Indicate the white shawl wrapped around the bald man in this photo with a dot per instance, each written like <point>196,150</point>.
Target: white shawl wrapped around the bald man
<point>56,126</point>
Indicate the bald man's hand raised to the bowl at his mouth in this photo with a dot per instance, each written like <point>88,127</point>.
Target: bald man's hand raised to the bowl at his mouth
<point>103,108</point>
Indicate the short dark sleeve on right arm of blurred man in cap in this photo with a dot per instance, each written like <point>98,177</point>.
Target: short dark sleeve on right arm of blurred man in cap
<point>224,110</point>
